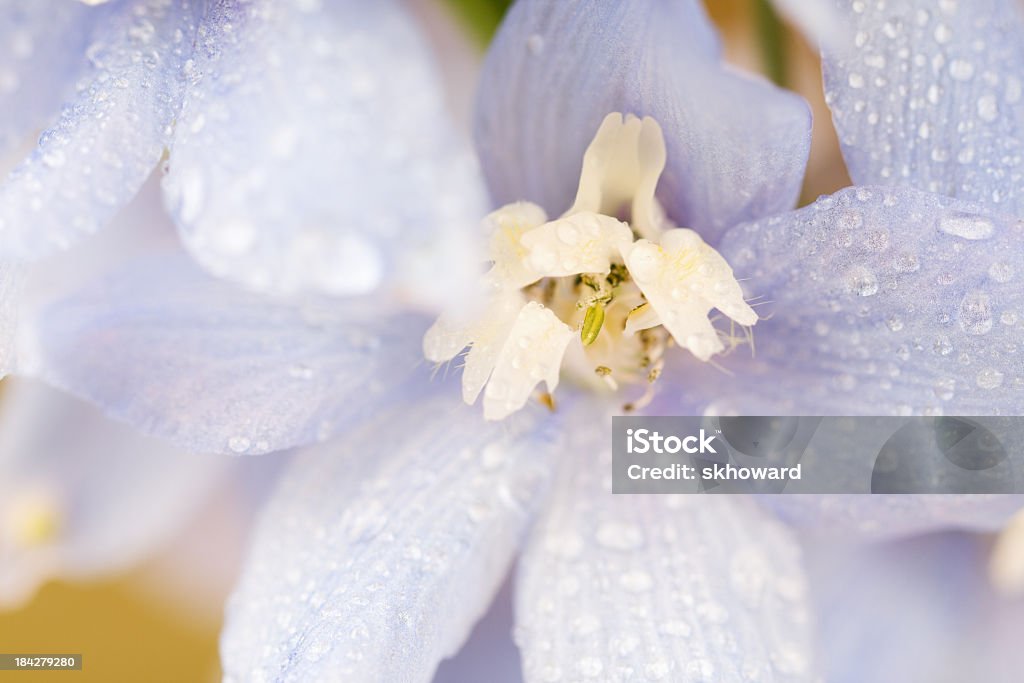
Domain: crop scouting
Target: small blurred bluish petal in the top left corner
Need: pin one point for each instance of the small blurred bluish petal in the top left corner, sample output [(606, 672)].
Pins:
[(42, 45)]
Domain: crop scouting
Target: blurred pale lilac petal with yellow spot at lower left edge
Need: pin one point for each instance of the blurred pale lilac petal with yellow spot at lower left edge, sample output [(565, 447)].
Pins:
[(88, 498)]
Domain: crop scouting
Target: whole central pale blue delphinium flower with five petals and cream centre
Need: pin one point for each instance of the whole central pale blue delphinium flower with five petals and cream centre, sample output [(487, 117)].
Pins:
[(380, 549)]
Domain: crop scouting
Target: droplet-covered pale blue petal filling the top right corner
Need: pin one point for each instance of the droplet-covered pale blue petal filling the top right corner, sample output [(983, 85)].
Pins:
[(931, 96)]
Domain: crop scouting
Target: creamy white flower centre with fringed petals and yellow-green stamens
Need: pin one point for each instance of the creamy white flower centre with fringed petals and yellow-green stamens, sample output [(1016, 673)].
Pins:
[(589, 293)]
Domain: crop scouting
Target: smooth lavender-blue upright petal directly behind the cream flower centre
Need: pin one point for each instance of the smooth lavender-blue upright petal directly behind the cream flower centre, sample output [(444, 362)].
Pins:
[(737, 146)]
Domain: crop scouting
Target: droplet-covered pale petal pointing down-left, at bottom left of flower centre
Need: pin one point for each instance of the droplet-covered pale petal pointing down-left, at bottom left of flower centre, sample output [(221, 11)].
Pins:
[(378, 553)]
